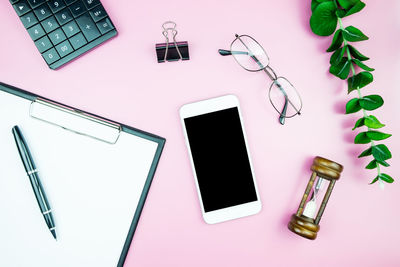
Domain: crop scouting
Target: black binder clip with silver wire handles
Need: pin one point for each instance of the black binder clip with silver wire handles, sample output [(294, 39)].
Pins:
[(171, 51)]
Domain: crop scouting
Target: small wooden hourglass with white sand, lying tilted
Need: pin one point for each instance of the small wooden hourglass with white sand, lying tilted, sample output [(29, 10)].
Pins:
[(306, 221)]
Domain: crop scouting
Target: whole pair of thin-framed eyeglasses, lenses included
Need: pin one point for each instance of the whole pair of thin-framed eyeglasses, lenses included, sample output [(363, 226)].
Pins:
[(252, 57)]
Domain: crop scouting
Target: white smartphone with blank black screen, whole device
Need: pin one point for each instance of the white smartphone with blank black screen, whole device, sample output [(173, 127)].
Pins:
[(220, 159)]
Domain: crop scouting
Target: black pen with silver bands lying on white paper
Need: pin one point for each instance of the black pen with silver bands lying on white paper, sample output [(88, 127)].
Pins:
[(32, 172)]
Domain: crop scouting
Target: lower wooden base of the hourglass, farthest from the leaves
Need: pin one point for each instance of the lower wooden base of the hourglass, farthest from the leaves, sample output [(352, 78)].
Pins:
[(303, 226)]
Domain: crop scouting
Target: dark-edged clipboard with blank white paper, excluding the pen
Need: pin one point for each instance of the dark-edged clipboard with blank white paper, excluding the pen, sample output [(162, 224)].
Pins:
[(92, 199)]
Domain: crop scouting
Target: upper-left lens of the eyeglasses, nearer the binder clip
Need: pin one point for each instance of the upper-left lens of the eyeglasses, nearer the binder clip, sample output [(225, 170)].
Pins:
[(249, 54)]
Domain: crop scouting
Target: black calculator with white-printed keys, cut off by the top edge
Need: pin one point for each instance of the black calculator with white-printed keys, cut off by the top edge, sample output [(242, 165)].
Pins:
[(64, 29)]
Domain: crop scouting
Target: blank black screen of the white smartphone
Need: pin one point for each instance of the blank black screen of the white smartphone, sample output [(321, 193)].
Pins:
[(220, 158)]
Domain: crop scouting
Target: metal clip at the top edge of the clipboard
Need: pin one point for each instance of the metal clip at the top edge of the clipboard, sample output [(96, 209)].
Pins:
[(74, 120)]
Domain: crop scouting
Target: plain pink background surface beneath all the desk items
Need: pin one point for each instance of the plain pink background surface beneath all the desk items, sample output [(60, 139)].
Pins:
[(122, 80)]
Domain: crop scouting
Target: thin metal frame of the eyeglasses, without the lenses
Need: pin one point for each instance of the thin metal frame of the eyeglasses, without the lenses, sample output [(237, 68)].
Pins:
[(273, 76)]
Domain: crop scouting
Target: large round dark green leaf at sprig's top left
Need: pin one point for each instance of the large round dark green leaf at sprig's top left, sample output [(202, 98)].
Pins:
[(323, 20)]
